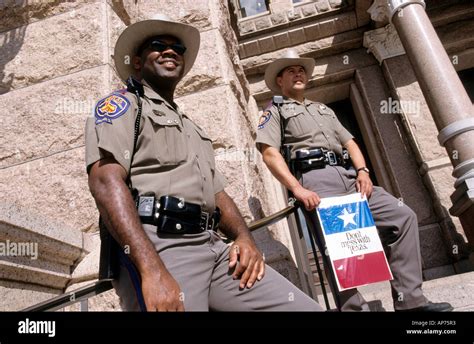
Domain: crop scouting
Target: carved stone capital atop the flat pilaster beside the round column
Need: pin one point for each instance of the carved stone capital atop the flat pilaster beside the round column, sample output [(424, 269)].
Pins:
[(383, 43)]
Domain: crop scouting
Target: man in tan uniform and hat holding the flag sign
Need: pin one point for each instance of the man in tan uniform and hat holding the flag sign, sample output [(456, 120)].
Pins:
[(312, 129)]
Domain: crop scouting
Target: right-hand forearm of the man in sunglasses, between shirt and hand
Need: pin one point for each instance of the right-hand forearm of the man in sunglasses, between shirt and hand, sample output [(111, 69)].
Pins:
[(232, 223)]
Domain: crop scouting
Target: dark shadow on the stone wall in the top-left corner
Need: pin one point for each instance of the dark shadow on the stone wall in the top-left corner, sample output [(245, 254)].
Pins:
[(10, 44)]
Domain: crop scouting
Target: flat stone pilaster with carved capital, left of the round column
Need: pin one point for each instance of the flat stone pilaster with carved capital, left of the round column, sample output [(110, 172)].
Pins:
[(420, 176)]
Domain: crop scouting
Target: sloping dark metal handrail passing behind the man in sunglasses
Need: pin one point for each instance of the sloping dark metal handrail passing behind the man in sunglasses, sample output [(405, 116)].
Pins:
[(102, 286)]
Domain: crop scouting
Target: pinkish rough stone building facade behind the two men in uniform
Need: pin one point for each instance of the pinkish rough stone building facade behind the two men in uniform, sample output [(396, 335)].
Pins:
[(56, 61)]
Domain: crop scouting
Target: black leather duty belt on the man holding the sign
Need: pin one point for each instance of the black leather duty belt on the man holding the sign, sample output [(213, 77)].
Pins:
[(310, 159)]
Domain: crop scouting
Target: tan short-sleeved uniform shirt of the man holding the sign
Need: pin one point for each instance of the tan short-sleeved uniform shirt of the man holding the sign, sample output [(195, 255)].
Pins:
[(308, 125)]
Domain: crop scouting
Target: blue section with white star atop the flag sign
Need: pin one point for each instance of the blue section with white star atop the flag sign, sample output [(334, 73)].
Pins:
[(346, 217)]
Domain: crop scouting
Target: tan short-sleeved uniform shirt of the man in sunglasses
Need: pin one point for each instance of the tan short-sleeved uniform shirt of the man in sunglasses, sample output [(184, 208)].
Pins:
[(173, 155)]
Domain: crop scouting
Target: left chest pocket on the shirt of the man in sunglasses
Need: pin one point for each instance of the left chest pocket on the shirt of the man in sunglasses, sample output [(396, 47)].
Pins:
[(169, 140)]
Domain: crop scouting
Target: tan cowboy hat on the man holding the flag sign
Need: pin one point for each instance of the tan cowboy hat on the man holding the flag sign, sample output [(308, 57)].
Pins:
[(290, 58)]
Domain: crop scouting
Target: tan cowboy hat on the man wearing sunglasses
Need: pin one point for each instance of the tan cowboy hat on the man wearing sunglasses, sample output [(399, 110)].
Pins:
[(134, 35)]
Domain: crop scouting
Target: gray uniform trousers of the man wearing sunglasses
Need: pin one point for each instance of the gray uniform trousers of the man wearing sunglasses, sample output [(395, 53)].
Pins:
[(199, 263)]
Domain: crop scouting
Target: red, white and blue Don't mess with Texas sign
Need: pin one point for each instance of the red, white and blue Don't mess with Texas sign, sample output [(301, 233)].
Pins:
[(352, 241)]
